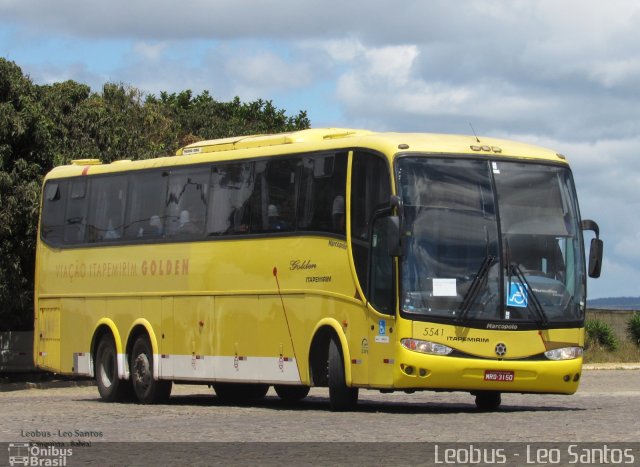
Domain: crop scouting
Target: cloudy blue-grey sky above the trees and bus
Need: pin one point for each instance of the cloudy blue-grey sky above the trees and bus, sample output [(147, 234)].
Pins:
[(564, 74)]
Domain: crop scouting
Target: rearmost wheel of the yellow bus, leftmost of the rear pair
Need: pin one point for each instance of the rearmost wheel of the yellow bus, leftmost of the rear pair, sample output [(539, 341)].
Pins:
[(110, 387)]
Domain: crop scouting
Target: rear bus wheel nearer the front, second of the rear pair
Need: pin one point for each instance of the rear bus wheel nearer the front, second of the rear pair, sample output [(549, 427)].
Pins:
[(147, 389)]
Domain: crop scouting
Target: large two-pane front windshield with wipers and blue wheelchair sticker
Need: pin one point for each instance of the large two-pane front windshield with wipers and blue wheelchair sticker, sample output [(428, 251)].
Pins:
[(490, 241)]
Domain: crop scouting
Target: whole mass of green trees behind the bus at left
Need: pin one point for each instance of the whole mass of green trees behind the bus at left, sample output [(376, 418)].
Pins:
[(45, 126)]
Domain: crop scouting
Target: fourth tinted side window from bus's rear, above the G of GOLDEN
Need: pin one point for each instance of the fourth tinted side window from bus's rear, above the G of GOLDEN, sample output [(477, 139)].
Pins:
[(145, 205)]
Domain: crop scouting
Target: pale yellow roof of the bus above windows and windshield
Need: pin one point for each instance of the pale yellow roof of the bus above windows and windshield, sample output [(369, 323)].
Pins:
[(240, 147)]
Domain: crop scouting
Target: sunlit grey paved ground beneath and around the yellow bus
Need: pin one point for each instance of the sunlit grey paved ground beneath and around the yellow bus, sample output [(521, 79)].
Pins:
[(196, 428)]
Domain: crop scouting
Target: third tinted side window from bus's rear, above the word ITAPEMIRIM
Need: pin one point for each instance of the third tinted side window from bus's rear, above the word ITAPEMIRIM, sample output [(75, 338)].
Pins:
[(107, 203)]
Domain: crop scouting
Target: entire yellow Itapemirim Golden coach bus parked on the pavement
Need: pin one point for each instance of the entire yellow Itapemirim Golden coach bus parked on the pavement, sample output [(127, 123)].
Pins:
[(331, 258)]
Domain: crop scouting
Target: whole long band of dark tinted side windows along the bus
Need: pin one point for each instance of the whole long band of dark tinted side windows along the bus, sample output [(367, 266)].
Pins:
[(281, 194)]
